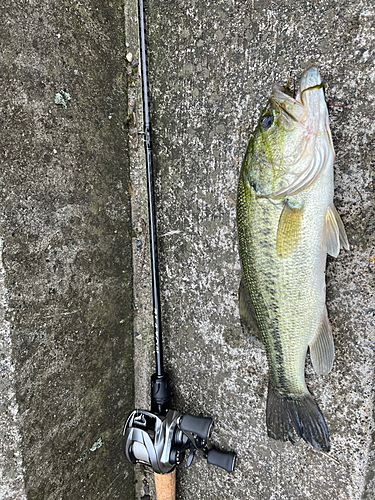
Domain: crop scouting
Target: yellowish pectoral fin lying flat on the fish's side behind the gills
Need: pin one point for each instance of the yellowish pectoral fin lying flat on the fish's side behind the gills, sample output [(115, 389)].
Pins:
[(289, 229)]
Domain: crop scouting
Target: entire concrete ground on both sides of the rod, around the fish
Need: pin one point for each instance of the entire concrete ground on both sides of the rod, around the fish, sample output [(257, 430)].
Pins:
[(66, 277)]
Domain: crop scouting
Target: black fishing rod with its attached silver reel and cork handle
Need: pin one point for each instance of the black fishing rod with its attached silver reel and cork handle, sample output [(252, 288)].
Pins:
[(159, 439)]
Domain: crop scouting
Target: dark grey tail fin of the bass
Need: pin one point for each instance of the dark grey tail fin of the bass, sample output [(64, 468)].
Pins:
[(286, 414)]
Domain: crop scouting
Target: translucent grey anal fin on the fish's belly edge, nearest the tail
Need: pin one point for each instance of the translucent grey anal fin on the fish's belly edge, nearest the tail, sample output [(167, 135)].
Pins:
[(322, 349)]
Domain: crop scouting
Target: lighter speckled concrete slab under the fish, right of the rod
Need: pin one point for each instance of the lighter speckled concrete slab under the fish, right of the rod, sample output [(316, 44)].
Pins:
[(211, 68)]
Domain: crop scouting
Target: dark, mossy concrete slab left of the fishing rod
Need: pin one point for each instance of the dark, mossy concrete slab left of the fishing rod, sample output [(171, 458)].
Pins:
[(66, 274)]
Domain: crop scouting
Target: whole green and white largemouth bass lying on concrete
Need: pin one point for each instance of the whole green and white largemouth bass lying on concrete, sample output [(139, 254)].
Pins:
[(287, 224)]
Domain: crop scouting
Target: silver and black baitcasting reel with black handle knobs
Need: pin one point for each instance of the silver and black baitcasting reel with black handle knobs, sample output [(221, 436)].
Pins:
[(161, 442)]
